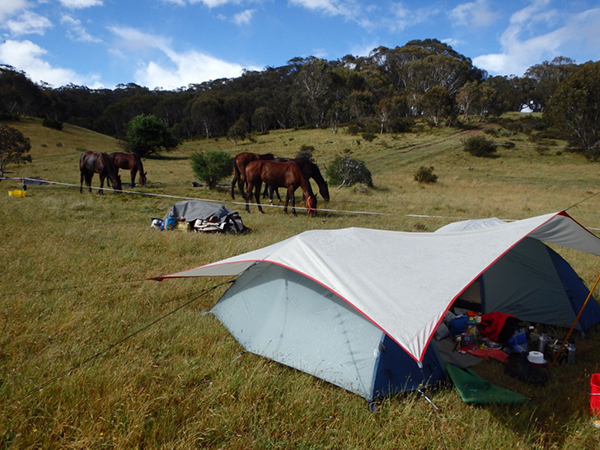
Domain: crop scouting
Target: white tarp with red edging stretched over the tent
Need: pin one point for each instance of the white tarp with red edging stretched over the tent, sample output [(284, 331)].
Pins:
[(402, 282)]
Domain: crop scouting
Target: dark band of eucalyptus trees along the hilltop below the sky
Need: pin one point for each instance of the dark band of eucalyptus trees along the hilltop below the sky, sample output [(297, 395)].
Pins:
[(381, 93)]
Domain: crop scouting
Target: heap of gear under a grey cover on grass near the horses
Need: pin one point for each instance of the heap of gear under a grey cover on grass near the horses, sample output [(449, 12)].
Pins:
[(198, 216)]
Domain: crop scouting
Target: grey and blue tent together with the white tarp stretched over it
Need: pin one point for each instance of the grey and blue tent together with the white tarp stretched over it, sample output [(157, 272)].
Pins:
[(359, 307)]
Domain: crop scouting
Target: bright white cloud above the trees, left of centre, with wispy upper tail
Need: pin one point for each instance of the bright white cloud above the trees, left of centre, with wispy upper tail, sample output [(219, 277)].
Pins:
[(178, 69)]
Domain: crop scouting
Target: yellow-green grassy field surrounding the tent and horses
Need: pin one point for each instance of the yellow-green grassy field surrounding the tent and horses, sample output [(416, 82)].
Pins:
[(95, 355)]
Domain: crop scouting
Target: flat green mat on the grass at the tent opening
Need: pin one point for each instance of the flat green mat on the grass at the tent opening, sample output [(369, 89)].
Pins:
[(473, 389)]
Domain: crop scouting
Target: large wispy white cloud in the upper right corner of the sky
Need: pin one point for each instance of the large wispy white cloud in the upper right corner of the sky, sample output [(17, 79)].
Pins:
[(521, 50)]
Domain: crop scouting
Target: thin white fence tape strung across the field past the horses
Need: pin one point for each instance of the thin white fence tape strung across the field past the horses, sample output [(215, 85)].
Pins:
[(343, 211)]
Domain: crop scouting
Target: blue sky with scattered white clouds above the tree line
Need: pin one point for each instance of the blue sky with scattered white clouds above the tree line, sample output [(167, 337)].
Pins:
[(171, 43)]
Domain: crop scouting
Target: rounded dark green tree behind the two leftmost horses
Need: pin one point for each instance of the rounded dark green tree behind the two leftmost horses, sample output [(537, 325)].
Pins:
[(147, 135)]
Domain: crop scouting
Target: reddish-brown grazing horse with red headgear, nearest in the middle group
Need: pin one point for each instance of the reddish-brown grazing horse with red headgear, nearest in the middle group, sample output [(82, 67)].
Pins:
[(279, 174)]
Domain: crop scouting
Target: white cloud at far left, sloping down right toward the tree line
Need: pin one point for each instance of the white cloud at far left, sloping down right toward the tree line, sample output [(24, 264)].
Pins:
[(28, 57)]
